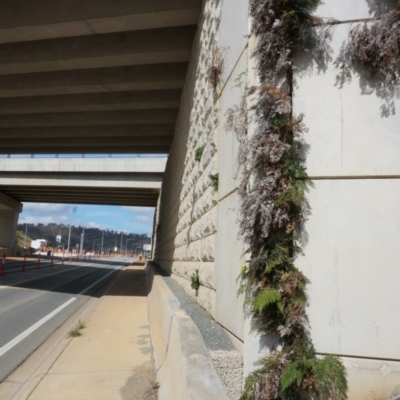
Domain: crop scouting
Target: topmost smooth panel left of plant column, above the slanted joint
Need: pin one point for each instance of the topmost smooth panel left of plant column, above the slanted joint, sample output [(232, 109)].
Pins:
[(232, 34)]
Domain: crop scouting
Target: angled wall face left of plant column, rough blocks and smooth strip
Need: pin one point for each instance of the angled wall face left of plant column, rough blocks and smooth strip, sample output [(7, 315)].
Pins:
[(196, 227)]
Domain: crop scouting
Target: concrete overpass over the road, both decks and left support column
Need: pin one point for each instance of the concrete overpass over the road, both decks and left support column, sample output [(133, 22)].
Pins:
[(85, 76)]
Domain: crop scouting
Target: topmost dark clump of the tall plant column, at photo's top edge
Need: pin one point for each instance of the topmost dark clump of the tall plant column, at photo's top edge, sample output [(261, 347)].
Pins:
[(284, 29)]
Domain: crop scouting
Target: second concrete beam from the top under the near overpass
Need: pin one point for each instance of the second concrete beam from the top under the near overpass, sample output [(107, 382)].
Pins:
[(95, 51)]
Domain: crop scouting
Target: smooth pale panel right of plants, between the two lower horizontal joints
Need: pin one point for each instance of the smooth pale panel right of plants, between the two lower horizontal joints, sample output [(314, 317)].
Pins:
[(352, 259)]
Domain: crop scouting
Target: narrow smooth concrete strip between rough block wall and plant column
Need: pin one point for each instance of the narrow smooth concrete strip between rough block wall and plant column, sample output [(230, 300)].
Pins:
[(233, 32)]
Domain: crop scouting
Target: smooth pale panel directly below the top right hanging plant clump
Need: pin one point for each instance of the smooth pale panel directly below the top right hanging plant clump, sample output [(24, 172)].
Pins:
[(347, 135)]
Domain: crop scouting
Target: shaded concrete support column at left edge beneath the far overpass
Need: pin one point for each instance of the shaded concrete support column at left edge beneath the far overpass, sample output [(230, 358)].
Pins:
[(9, 213)]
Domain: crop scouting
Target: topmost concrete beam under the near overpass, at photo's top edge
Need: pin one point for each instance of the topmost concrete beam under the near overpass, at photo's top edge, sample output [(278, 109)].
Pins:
[(26, 20)]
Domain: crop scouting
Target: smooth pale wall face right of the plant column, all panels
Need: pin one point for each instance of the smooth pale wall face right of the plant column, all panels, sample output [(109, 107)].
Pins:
[(353, 231)]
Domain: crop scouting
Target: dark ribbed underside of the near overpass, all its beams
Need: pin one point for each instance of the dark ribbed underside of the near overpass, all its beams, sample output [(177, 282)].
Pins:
[(92, 76)]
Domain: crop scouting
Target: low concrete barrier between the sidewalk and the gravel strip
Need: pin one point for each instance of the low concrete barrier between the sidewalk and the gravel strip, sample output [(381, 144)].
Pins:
[(184, 368)]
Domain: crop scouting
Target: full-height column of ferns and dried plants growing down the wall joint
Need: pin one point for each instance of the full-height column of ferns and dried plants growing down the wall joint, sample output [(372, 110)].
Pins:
[(272, 196)]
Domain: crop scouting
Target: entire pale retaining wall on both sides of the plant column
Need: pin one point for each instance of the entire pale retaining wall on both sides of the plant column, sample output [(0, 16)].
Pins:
[(352, 235)]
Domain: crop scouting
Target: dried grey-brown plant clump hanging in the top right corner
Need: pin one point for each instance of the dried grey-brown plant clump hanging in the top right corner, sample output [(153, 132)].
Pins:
[(373, 52)]
